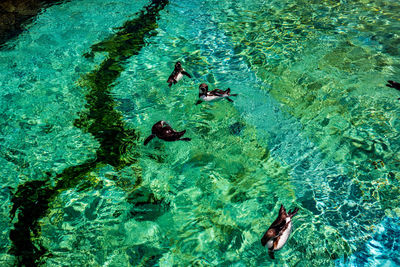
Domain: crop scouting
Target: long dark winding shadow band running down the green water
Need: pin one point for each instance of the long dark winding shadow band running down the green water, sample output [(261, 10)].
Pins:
[(32, 199)]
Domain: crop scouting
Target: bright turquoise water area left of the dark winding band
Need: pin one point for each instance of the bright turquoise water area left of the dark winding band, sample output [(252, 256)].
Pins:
[(40, 97)]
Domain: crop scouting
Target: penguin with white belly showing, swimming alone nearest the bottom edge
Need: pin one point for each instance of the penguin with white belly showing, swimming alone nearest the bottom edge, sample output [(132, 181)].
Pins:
[(279, 231)]
